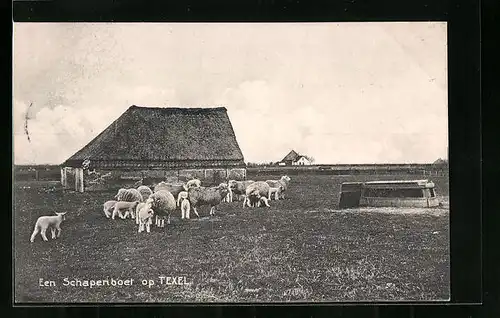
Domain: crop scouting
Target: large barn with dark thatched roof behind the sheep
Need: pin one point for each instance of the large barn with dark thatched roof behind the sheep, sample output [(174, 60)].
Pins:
[(145, 139)]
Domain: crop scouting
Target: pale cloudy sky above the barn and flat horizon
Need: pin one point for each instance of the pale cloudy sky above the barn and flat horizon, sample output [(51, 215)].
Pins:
[(342, 93)]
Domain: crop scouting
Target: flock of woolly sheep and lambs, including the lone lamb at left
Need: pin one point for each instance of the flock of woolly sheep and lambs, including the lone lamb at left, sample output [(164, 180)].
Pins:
[(143, 203)]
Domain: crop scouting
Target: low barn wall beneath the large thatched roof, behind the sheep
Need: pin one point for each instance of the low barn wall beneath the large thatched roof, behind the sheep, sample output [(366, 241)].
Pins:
[(105, 179)]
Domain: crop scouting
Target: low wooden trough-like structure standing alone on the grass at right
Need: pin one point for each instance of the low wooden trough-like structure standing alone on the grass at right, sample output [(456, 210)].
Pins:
[(399, 193)]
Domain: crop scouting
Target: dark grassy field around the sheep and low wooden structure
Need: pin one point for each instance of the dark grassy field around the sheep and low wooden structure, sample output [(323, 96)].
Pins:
[(300, 249)]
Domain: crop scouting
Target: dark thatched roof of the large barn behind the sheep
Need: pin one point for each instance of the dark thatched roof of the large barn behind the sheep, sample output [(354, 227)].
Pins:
[(149, 134)]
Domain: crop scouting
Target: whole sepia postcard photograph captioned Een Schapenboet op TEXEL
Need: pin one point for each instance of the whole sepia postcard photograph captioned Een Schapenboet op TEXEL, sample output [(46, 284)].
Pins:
[(230, 162)]
